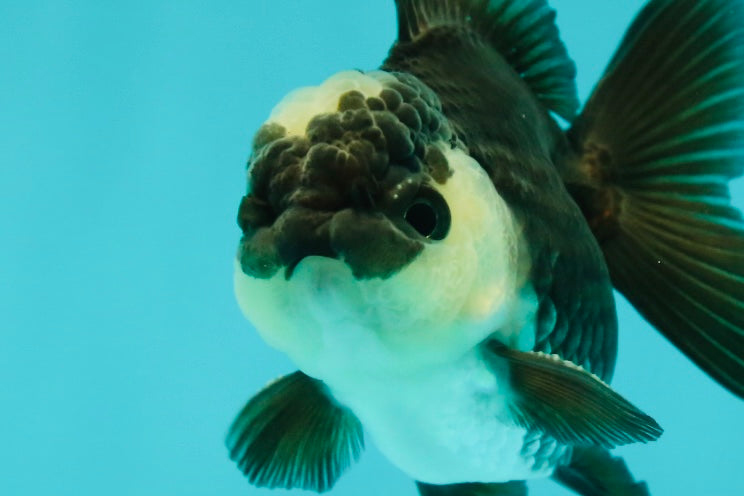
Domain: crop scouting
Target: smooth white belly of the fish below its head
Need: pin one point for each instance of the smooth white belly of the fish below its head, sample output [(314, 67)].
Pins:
[(443, 426)]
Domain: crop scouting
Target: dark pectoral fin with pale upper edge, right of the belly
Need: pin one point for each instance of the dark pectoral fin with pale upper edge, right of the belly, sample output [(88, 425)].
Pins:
[(570, 404)]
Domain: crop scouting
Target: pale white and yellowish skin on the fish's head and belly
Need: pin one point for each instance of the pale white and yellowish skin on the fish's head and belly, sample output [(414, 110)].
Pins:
[(361, 336)]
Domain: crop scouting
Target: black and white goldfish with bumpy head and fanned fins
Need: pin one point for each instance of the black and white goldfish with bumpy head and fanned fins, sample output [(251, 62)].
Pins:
[(435, 244)]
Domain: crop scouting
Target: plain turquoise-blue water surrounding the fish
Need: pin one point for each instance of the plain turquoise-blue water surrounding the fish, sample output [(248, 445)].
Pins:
[(124, 131)]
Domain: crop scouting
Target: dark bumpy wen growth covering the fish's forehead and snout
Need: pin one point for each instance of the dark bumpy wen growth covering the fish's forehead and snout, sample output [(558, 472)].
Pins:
[(343, 189)]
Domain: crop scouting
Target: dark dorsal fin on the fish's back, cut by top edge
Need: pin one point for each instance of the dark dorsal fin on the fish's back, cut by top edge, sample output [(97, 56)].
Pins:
[(522, 31)]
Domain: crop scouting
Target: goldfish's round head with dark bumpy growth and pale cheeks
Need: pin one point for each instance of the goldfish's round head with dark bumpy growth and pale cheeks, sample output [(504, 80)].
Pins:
[(370, 236)]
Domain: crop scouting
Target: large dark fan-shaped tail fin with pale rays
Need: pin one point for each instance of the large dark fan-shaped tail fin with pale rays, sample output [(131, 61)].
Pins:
[(658, 141)]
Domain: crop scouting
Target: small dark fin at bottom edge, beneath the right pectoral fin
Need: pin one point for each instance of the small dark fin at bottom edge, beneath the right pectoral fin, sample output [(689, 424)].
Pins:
[(595, 472)]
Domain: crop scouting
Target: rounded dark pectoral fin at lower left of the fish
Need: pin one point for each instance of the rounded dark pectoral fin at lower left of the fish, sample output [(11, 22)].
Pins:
[(293, 434)]
